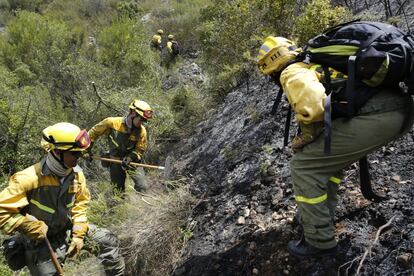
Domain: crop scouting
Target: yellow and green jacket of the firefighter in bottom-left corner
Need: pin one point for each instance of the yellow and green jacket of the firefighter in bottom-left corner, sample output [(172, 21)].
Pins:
[(38, 192)]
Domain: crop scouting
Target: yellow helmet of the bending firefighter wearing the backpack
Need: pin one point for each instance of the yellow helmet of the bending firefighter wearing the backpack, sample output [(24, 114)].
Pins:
[(275, 53)]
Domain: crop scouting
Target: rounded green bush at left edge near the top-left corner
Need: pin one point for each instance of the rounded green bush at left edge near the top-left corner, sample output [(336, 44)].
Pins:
[(35, 47)]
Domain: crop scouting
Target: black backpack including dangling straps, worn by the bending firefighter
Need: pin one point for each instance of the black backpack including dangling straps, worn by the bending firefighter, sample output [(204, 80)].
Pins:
[(371, 54)]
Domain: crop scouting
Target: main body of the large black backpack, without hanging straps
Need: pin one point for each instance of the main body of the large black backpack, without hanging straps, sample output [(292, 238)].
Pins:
[(384, 55)]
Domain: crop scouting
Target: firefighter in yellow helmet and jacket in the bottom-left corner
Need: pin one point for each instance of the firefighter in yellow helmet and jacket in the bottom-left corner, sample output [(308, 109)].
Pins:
[(49, 199)]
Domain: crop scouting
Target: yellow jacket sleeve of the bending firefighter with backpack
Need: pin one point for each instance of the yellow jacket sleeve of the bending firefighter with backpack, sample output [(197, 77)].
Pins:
[(304, 91)]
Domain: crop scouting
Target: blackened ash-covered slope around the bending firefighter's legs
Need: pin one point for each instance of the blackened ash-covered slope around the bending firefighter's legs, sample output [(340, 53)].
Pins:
[(239, 171)]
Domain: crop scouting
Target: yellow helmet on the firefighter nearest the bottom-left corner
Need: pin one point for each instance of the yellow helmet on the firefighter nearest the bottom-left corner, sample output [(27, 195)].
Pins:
[(65, 136)]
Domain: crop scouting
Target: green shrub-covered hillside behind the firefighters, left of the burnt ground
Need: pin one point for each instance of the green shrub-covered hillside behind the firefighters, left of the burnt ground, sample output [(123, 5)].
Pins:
[(52, 50)]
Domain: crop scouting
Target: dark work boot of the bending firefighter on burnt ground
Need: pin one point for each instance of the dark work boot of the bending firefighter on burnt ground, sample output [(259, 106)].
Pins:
[(302, 249)]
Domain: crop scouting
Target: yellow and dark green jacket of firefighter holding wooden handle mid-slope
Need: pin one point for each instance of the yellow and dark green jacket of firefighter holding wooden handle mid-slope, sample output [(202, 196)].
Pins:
[(122, 142)]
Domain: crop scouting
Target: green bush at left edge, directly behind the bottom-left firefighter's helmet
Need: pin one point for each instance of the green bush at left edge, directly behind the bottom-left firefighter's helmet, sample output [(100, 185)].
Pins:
[(21, 123)]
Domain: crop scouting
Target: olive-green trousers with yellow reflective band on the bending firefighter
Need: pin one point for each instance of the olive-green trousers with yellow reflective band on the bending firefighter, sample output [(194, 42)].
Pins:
[(312, 169)]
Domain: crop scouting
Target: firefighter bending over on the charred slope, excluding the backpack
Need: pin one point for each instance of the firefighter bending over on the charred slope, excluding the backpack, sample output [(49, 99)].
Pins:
[(316, 177)]
